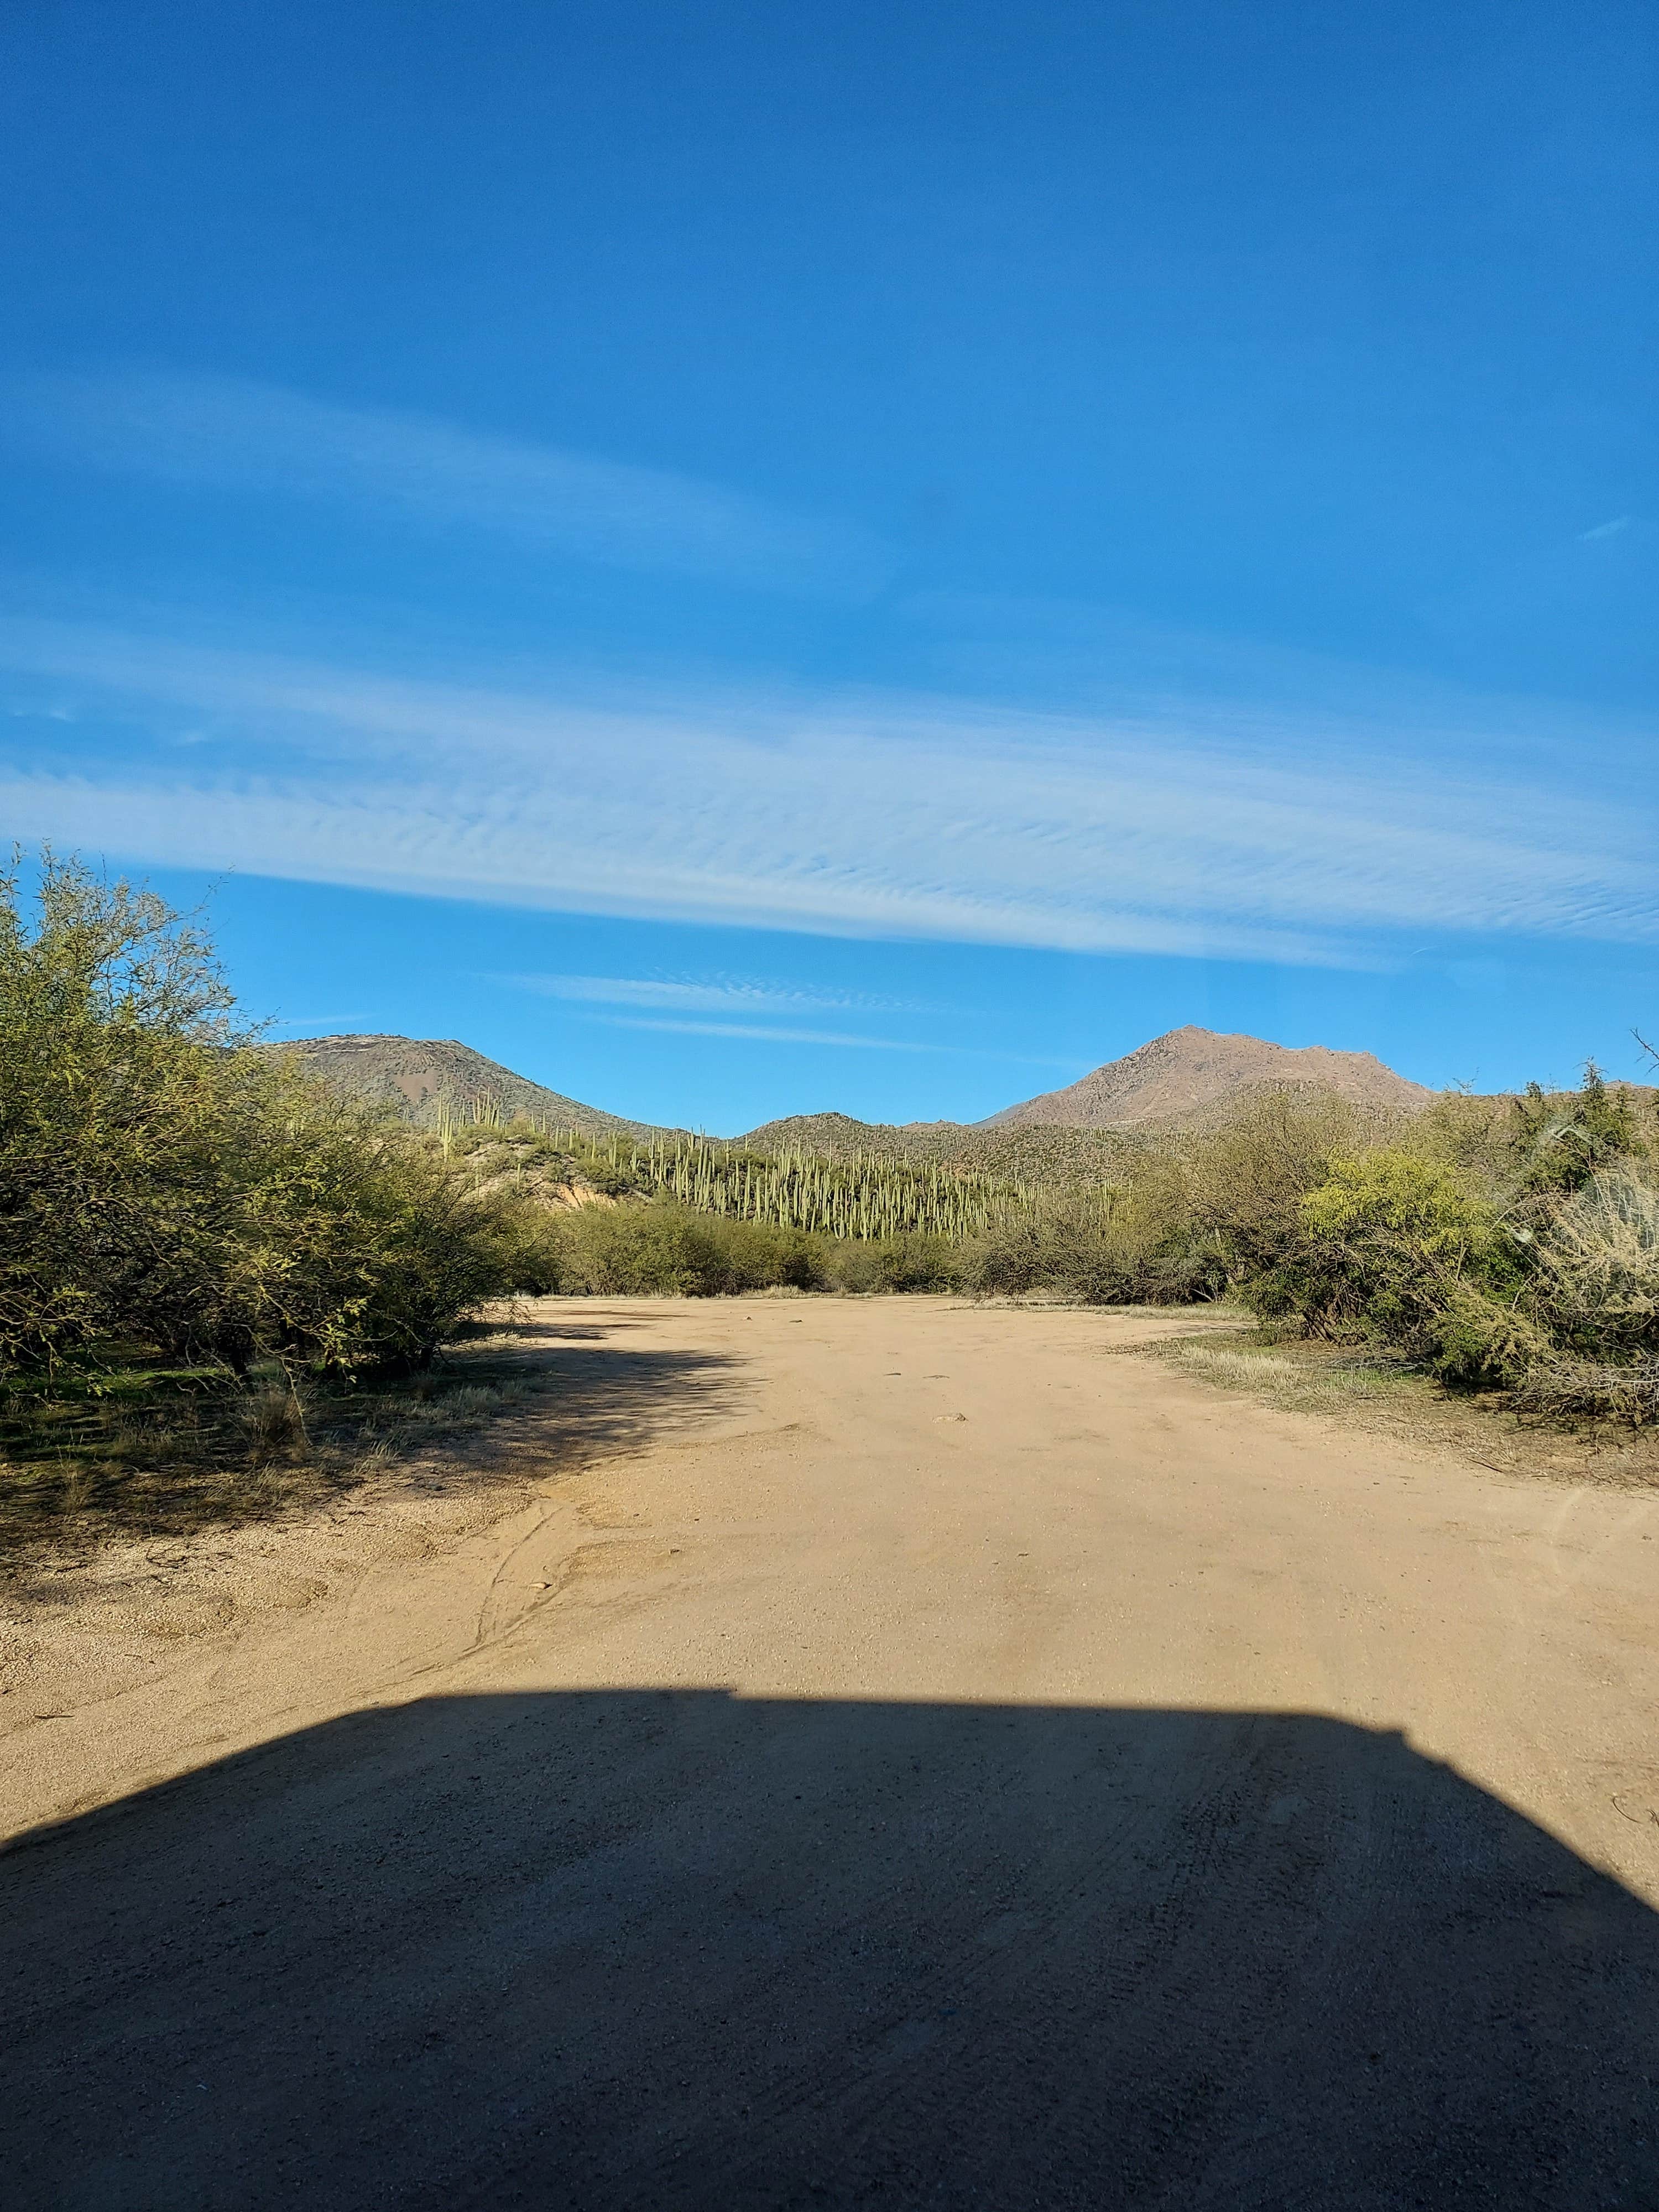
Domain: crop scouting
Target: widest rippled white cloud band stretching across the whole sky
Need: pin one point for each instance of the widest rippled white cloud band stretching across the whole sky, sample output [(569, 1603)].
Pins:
[(868, 817)]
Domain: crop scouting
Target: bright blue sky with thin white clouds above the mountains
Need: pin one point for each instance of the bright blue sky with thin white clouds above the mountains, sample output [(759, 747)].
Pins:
[(758, 559)]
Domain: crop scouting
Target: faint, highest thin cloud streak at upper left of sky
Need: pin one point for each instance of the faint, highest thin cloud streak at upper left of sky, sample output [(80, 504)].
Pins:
[(244, 437)]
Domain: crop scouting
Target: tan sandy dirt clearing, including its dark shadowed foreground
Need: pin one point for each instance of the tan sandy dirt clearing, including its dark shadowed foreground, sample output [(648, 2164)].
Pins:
[(908, 1755)]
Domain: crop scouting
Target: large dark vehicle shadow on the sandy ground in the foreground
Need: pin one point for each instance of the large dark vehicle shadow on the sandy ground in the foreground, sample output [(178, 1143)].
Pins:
[(678, 1950)]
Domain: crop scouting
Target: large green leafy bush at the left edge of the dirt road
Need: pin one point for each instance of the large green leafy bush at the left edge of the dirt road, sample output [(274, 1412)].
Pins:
[(165, 1185)]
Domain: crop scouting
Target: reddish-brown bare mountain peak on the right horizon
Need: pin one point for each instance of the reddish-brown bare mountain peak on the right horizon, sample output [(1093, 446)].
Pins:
[(1193, 1074)]
